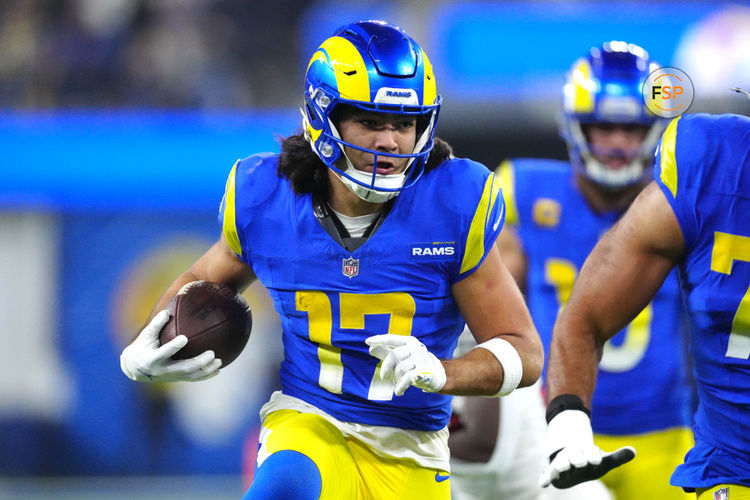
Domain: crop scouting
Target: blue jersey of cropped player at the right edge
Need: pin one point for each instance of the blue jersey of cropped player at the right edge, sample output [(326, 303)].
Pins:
[(703, 169)]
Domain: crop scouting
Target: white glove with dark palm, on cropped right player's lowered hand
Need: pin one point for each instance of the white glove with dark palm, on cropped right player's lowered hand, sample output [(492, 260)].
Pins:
[(574, 458)]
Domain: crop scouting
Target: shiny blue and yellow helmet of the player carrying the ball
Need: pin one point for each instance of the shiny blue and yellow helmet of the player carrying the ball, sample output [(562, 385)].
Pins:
[(376, 67)]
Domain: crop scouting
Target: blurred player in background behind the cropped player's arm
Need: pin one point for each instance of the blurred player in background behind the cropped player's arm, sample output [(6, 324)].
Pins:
[(557, 211)]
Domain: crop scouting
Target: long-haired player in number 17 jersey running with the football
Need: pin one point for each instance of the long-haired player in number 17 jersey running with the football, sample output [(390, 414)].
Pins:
[(373, 271)]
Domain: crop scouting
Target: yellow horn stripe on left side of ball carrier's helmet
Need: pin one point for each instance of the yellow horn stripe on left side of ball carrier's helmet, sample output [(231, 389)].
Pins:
[(348, 67)]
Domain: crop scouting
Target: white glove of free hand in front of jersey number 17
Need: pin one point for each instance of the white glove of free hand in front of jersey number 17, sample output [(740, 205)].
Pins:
[(407, 362)]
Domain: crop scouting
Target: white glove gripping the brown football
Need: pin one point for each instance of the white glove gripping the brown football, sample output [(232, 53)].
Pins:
[(145, 361)]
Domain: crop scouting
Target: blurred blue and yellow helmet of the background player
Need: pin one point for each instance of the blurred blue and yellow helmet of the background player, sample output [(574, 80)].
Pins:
[(605, 87)]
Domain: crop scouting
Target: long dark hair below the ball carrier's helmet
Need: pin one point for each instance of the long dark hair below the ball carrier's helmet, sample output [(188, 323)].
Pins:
[(308, 174)]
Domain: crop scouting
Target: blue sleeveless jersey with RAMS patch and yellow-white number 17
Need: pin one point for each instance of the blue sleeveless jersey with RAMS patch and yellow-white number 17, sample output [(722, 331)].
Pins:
[(330, 300)]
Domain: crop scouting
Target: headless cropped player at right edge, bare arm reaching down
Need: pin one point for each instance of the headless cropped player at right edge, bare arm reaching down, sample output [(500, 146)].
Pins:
[(694, 216)]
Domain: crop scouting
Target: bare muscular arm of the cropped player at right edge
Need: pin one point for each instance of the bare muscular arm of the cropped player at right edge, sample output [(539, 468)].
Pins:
[(618, 280)]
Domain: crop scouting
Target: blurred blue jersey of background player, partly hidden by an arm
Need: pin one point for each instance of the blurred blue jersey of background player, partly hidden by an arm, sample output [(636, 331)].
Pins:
[(642, 384)]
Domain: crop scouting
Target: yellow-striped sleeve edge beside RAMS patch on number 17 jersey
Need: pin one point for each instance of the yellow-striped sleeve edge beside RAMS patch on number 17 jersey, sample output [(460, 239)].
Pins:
[(486, 223)]
